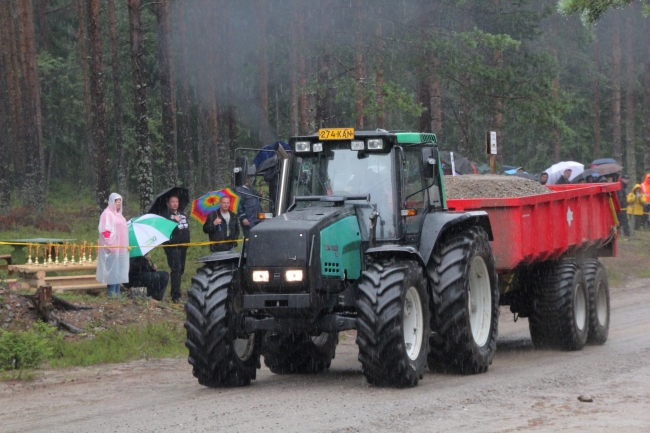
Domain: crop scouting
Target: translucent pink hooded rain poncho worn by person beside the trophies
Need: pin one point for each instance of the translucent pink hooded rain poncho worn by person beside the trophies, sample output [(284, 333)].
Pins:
[(113, 262)]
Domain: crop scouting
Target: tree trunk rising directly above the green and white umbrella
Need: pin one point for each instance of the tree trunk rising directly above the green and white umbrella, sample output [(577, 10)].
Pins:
[(144, 165)]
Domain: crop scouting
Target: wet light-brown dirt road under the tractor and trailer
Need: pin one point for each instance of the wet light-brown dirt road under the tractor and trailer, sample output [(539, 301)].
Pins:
[(524, 389)]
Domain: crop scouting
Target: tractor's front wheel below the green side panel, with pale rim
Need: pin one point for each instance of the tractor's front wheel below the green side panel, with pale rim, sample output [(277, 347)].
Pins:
[(393, 323)]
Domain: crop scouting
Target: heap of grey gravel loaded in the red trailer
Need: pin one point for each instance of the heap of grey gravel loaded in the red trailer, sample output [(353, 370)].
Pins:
[(491, 186)]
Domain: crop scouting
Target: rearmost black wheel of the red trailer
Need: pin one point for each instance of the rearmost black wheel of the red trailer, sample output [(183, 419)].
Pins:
[(598, 290)]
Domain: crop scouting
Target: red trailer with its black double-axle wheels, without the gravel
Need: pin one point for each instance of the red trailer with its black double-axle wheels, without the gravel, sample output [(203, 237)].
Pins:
[(546, 249)]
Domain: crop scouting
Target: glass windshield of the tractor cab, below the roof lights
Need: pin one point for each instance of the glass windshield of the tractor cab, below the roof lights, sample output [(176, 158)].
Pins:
[(340, 171)]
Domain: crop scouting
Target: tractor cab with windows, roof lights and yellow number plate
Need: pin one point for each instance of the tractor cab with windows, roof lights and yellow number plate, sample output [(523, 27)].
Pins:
[(397, 174)]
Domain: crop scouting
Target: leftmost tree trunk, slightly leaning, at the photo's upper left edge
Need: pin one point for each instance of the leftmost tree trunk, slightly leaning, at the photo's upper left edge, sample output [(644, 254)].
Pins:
[(10, 55)]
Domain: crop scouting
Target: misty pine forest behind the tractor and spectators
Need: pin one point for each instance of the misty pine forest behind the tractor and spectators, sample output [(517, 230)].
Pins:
[(136, 96)]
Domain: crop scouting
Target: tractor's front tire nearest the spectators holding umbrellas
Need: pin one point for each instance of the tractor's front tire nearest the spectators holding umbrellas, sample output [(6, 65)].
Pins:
[(219, 358)]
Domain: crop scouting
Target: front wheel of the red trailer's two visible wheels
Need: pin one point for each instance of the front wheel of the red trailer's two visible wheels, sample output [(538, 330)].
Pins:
[(559, 316)]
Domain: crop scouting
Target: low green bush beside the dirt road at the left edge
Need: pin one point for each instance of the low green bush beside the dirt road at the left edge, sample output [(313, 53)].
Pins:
[(27, 349)]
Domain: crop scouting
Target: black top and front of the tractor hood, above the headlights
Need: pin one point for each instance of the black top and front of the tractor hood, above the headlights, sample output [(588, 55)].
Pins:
[(292, 239)]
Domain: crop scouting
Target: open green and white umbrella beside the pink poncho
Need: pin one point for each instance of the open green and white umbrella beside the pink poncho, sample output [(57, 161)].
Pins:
[(148, 231)]
